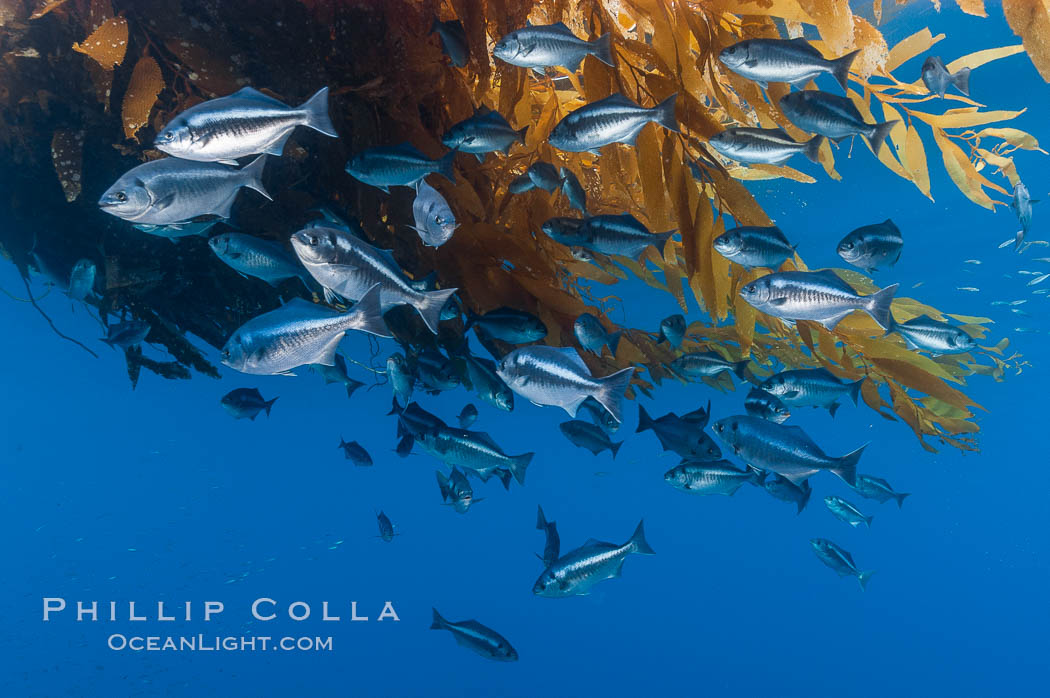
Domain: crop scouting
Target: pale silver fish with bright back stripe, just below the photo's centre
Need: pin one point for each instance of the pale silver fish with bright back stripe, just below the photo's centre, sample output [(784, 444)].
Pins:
[(558, 376)]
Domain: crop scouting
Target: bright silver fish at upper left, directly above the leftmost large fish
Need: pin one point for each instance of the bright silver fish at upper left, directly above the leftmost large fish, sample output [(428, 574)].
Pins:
[(245, 123)]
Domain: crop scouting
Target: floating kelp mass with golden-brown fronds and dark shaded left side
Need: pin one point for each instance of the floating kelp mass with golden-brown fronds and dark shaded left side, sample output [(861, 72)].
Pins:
[(390, 83)]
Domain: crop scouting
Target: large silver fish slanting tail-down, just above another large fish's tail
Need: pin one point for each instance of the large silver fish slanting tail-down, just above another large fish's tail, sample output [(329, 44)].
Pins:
[(347, 266)]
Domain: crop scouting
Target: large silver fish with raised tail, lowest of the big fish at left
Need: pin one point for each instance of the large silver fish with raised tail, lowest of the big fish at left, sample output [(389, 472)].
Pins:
[(300, 333)]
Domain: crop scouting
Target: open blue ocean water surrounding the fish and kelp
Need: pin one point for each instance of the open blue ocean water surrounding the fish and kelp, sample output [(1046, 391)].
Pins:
[(109, 494)]
